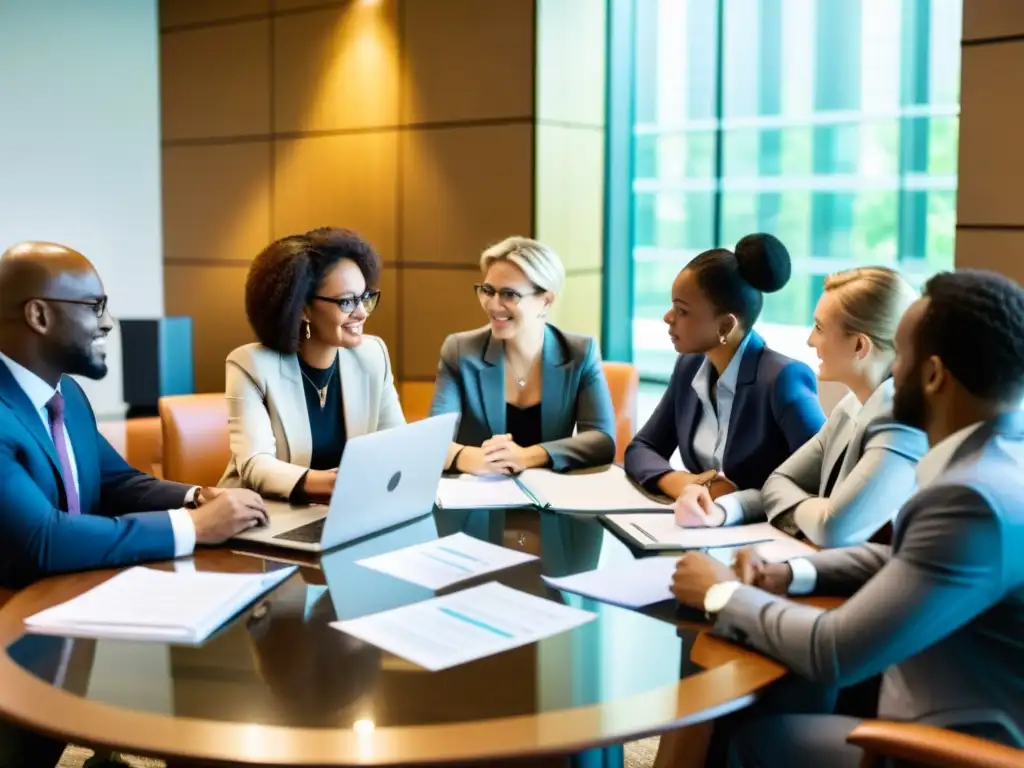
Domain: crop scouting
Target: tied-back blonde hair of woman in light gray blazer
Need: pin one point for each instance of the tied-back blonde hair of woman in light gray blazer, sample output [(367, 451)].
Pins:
[(872, 301)]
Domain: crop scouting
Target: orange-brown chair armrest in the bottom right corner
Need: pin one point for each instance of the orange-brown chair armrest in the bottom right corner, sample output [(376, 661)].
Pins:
[(928, 745)]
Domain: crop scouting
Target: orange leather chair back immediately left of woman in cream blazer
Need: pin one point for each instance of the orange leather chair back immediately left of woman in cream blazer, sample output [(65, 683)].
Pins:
[(196, 442)]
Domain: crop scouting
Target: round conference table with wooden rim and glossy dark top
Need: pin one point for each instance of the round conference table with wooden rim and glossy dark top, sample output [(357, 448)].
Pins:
[(278, 686)]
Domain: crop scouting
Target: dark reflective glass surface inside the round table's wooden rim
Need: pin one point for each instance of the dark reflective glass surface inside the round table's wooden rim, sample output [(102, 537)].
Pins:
[(282, 663)]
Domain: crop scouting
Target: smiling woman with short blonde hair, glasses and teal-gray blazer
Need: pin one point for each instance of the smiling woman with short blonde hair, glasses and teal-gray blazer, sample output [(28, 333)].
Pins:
[(530, 395)]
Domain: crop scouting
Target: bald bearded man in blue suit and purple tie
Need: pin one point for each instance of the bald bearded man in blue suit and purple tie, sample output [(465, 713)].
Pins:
[(68, 501)]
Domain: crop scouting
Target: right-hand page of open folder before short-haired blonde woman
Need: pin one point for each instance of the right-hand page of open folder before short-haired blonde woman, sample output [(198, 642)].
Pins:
[(608, 490)]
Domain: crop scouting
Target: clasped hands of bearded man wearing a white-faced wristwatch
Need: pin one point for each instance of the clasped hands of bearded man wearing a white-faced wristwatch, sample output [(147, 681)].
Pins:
[(697, 573)]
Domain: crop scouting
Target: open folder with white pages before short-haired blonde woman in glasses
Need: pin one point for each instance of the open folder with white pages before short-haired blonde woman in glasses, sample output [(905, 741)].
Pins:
[(606, 490)]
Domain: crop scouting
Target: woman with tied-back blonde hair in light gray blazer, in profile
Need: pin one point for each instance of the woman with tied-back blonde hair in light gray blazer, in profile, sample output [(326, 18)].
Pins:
[(849, 481)]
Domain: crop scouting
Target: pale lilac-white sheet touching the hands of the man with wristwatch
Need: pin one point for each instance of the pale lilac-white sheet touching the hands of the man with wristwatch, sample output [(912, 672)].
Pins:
[(630, 585)]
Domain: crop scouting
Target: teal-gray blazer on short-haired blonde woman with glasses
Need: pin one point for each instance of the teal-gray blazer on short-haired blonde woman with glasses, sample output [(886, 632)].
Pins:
[(574, 396)]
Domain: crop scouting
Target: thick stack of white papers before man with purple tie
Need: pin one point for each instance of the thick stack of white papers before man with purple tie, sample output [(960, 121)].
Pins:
[(160, 606)]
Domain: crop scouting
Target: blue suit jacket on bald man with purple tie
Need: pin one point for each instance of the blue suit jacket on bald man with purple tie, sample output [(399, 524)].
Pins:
[(37, 536)]
